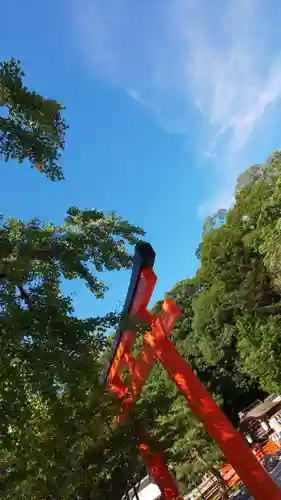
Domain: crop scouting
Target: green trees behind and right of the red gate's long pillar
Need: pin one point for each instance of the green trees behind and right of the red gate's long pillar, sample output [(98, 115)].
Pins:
[(229, 330)]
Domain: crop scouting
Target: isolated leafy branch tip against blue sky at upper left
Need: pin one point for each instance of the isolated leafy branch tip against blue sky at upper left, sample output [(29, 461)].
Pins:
[(32, 127)]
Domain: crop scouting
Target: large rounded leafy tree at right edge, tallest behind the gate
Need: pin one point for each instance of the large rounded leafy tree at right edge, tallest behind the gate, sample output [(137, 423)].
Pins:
[(238, 308)]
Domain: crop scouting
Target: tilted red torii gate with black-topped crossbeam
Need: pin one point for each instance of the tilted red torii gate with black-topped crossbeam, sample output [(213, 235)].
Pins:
[(157, 345)]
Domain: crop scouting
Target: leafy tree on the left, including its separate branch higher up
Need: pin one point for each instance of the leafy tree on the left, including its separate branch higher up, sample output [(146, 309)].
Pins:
[(58, 437)]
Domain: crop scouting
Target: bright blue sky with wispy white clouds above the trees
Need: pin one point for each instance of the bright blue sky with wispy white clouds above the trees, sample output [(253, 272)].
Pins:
[(168, 100)]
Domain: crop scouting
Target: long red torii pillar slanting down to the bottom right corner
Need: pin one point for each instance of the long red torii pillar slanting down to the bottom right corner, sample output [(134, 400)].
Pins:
[(215, 422)]
